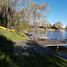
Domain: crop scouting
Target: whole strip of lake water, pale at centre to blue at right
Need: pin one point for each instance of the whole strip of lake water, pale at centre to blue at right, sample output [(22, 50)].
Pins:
[(56, 35)]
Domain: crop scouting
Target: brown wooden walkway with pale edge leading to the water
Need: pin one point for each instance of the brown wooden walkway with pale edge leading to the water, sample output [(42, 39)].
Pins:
[(47, 42)]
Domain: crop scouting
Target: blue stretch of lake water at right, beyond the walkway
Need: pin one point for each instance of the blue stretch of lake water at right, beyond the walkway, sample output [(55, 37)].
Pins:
[(57, 35)]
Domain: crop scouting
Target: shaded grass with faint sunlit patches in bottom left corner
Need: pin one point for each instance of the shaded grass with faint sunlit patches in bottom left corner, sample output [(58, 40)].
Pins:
[(6, 61)]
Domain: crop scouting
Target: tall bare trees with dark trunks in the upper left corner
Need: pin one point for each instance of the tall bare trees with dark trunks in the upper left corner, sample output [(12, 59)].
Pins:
[(6, 12)]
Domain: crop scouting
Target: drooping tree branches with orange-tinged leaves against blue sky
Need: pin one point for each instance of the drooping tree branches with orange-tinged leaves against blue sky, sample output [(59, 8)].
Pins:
[(36, 9)]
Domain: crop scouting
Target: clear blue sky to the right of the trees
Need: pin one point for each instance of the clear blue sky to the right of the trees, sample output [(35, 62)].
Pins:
[(57, 12)]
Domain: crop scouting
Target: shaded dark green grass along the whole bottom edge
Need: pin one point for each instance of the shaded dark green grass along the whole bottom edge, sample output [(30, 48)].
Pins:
[(35, 60)]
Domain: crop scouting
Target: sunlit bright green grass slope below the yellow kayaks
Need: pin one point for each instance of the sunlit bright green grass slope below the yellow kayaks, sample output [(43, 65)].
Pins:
[(13, 35)]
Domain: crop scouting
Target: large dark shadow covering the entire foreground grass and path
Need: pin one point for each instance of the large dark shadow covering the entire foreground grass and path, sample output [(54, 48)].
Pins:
[(27, 56)]
